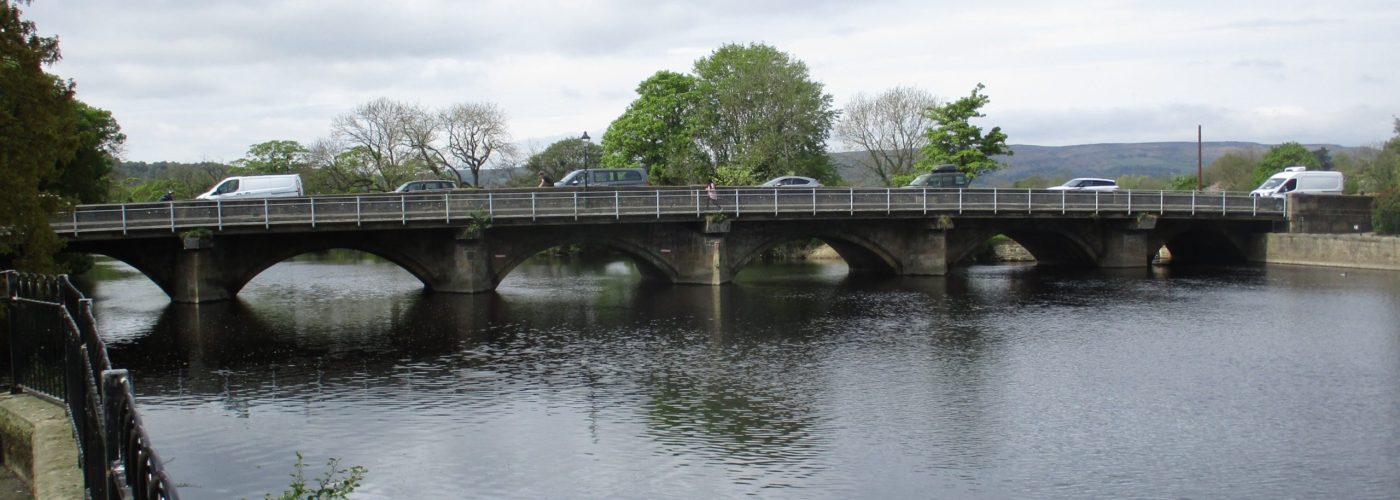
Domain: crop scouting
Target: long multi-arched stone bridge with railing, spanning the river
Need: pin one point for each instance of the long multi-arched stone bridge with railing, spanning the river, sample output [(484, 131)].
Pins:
[(468, 242)]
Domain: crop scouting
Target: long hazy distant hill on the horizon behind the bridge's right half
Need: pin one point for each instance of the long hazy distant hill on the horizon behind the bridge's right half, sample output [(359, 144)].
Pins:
[(1161, 160)]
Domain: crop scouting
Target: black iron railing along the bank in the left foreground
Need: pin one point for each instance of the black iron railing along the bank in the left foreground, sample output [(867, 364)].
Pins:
[(57, 352)]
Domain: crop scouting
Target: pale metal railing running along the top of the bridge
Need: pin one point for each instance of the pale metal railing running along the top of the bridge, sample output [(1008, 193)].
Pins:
[(642, 202)]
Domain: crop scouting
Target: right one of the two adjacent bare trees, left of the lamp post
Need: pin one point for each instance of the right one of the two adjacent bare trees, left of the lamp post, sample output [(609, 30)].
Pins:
[(475, 132)]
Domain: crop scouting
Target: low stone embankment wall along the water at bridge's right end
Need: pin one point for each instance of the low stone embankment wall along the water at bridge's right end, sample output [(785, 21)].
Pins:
[(1331, 250)]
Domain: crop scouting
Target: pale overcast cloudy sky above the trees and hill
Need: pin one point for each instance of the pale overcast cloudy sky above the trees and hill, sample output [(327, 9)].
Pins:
[(204, 81)]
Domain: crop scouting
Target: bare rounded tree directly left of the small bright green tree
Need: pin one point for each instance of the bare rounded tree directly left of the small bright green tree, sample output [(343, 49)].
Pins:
[(890, 130)]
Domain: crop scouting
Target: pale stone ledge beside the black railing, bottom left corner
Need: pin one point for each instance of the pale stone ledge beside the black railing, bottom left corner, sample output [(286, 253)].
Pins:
[(37, 445)]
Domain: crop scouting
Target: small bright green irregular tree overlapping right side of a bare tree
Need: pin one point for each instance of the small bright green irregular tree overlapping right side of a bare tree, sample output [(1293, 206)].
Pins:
[(955, 141)]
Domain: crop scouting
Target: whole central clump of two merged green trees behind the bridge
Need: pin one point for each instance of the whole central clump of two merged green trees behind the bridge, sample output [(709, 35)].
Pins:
[(747, 107)]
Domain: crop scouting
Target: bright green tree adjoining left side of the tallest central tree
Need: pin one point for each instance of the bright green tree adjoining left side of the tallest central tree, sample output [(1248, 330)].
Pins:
[(657, 132)]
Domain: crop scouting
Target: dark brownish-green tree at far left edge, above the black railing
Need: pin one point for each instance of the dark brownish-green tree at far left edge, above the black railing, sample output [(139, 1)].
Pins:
[(38, 132)]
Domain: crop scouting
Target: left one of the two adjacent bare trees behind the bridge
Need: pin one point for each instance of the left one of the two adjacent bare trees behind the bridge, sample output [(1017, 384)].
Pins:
[(380, 131)]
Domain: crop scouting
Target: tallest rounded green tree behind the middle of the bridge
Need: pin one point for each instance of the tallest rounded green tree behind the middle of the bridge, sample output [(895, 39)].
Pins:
[(761, 113)]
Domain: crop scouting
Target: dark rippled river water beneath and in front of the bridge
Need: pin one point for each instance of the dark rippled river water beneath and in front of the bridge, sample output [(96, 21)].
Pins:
[(580, 380)]
